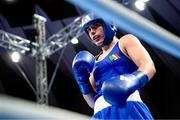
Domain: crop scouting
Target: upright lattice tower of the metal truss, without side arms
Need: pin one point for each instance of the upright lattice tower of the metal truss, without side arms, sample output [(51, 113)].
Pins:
[(41, 65)]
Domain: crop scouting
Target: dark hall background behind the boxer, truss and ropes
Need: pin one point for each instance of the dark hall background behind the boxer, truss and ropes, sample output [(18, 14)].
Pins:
[(161, 94)]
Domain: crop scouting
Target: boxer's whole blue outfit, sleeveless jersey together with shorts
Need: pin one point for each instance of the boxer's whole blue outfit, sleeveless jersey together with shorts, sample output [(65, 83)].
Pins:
[(115, 64)]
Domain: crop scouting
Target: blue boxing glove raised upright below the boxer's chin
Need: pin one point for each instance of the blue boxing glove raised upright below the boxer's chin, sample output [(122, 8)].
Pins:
[(82, 66)]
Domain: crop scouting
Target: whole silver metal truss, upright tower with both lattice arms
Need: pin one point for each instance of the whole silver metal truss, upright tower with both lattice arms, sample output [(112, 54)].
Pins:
[(41, 49)]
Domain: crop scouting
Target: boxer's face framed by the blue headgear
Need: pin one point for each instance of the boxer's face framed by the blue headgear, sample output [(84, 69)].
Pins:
[(96, 33)]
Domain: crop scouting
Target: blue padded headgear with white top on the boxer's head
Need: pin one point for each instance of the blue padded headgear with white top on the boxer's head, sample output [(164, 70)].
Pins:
[(108, 31)]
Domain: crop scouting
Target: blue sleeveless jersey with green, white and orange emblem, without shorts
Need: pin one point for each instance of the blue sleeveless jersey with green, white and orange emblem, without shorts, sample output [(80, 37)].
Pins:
[(114, 64)]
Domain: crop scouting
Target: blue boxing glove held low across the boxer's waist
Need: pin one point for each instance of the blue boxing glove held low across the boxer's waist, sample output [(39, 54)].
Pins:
[(117, 89)]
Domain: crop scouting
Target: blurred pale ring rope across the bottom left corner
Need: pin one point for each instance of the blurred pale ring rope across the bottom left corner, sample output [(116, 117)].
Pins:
[(14, 108)]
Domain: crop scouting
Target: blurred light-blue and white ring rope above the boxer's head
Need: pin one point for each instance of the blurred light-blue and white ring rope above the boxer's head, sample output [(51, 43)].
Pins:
[(133, 23)]
